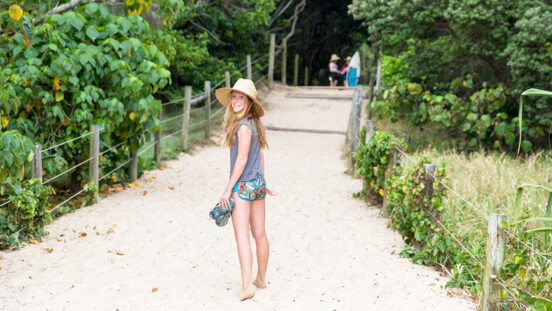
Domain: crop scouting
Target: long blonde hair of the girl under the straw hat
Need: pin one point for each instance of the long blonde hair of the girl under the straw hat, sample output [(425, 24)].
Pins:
[(231, 120)]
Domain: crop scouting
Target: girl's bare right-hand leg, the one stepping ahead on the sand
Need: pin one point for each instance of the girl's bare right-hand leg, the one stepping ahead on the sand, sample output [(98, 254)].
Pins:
[(261, 241)]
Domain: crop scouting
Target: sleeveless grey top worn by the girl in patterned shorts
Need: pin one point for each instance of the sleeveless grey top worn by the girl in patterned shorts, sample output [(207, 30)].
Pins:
[(253, 169)]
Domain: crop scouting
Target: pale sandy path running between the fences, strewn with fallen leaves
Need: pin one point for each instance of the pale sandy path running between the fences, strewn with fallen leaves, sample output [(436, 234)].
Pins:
[(328, 250)]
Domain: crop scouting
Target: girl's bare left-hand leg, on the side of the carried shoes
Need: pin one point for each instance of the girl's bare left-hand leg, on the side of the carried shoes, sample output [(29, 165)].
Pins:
[(240, 220)]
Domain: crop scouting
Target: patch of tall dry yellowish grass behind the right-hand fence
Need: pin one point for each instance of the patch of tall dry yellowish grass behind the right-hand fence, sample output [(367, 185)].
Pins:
[(488, 180)]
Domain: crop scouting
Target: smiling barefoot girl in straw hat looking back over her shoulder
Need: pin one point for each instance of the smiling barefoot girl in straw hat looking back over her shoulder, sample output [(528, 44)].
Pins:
[(245, 135)]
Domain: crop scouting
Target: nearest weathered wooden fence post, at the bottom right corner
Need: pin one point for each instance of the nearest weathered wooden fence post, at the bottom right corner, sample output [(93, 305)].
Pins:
[(494, 256)]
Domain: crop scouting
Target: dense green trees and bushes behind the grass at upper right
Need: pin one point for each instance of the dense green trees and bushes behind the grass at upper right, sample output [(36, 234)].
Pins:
[(463, 65)]
